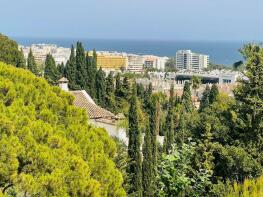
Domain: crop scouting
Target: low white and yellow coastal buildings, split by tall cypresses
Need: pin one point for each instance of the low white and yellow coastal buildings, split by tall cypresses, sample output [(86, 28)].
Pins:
[(106, 59)]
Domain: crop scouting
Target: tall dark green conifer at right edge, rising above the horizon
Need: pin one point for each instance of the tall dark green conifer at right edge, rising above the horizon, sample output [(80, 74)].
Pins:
[(249, 97)]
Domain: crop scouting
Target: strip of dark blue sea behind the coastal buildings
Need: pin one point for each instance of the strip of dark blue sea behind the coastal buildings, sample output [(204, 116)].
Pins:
[(220, 52)]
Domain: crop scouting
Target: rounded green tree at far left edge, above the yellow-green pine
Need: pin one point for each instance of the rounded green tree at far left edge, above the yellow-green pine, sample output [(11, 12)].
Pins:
[(10, 53)]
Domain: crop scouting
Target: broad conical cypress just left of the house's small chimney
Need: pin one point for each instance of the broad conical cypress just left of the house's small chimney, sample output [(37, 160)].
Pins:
[(51, 73)]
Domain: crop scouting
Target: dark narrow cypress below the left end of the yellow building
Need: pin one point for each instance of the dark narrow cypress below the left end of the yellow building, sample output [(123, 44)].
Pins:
[(100, 87)]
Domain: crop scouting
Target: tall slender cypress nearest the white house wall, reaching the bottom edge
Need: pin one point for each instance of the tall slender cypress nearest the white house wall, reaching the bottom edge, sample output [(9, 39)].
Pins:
[(135, 164)]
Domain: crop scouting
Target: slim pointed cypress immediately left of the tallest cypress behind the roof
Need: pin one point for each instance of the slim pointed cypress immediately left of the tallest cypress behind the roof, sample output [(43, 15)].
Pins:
[(71, 71)]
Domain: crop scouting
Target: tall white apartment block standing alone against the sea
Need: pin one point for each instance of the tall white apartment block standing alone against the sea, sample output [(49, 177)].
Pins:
[(186, 59)]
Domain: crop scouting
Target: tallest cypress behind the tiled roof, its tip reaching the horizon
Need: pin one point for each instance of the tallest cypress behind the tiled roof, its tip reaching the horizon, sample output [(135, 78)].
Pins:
[(81, 74)]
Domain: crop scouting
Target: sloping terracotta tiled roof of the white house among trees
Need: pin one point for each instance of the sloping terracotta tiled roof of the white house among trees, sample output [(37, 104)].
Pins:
[(94, 111)]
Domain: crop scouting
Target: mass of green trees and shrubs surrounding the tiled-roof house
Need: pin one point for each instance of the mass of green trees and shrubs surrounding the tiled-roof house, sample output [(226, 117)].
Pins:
[(48, 149)]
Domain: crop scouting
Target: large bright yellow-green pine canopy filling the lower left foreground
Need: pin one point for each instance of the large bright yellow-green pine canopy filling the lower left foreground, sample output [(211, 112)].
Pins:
[(47, 147)]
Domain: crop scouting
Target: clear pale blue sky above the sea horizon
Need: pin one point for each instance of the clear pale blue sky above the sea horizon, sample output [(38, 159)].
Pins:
[(134, 19)]
